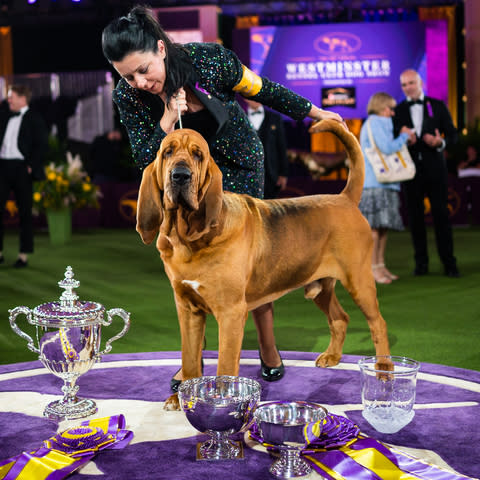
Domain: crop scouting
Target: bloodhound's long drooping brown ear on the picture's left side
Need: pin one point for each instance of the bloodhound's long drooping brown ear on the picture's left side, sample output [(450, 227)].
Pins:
[(149, 206)]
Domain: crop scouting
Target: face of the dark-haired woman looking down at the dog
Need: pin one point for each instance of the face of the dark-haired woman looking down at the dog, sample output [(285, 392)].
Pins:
[(144, 70)]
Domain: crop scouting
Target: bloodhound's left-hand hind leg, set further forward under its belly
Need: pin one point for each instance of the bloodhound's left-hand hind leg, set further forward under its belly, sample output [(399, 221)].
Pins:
[(337, 319)]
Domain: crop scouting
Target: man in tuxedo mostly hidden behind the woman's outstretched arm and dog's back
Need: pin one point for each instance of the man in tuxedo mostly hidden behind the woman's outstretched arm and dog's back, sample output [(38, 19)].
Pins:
[(270, 129)]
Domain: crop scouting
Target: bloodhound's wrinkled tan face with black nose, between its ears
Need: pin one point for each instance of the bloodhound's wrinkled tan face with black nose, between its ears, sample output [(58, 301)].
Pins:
[(184, 156)]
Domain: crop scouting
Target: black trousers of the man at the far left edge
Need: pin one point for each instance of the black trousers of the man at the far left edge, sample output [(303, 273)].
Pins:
[(14, 177)]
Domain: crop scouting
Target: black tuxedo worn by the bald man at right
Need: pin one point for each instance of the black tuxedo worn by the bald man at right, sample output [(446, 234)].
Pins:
[(431, 180)]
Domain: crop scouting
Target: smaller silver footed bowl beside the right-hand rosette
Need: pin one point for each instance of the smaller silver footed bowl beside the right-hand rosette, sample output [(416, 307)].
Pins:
[(282, 424)]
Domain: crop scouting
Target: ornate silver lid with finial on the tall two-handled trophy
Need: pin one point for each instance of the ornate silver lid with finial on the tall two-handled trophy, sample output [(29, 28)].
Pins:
[(69, 311)]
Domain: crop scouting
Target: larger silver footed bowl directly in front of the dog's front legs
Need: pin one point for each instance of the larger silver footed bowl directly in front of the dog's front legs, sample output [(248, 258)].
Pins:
[(219, 406)]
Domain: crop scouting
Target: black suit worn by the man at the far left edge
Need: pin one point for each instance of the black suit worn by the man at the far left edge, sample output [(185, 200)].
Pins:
[(14, 176)]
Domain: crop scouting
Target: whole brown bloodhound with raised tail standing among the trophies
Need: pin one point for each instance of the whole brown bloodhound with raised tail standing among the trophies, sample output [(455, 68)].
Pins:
[(226, 253)]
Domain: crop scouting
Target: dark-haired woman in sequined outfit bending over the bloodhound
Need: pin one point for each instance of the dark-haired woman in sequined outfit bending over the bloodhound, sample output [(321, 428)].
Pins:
[(161, 79)]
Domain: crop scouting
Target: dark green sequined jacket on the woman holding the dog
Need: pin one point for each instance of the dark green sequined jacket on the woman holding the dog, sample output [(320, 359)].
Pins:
[(236, 147)]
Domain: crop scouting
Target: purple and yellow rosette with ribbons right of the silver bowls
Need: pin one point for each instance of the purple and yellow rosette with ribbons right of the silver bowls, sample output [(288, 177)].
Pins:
[(336, 449)]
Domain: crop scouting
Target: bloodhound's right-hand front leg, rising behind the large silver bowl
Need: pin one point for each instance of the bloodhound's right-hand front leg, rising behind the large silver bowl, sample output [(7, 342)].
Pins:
[(231, 324)]
